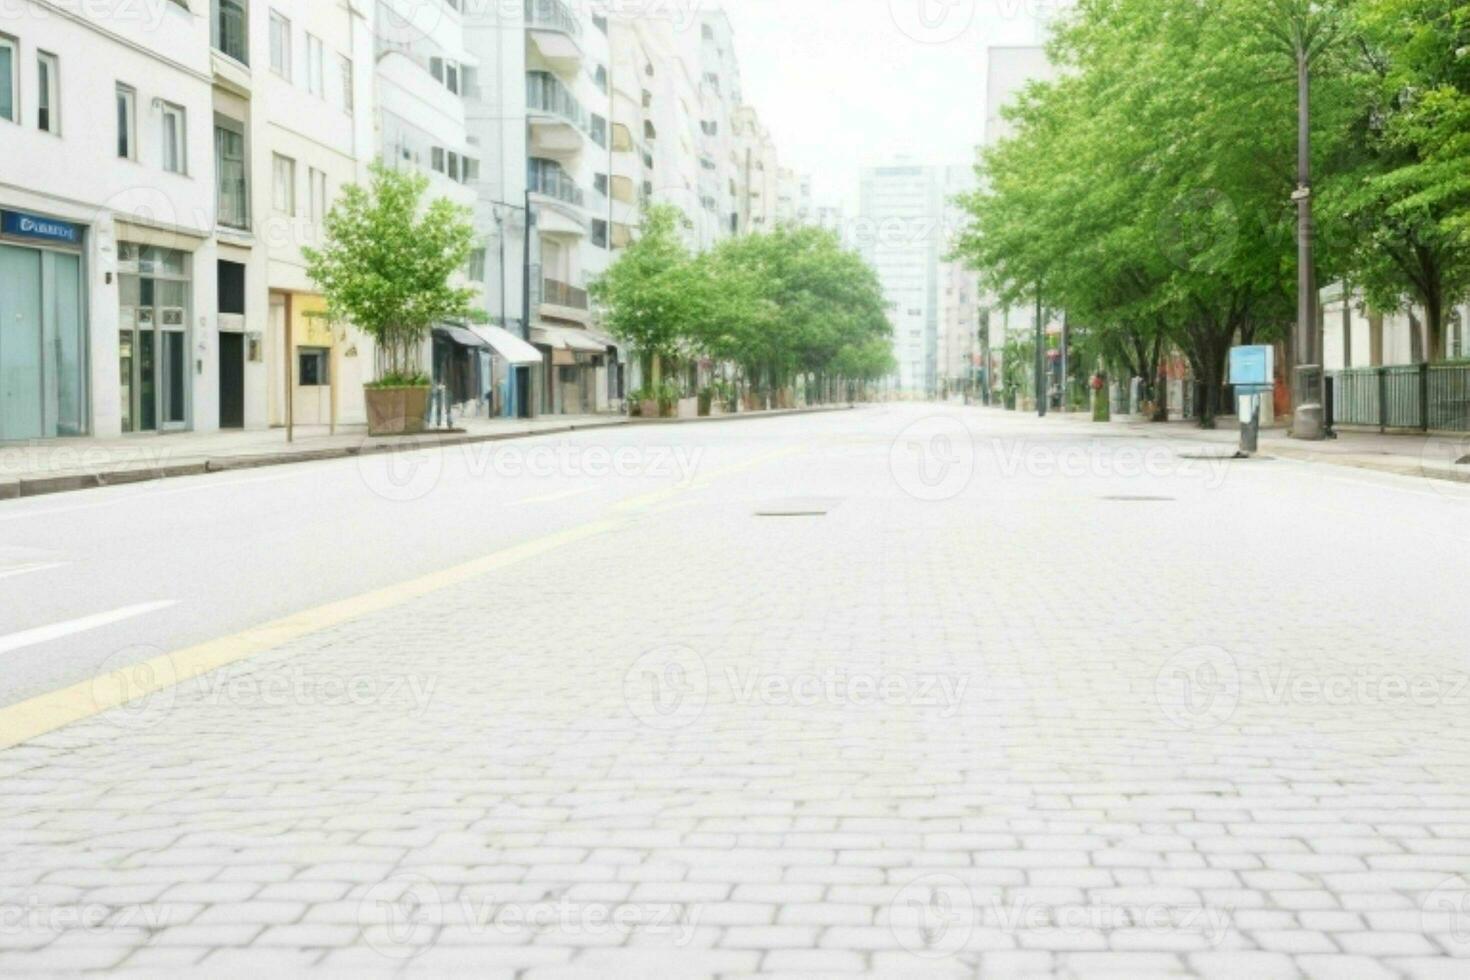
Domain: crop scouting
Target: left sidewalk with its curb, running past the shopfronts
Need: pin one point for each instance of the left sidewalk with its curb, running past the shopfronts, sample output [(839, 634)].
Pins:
[(54, 466)]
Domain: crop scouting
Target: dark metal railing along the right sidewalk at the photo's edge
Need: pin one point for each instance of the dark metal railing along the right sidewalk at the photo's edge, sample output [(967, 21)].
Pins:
[(1403, 397)]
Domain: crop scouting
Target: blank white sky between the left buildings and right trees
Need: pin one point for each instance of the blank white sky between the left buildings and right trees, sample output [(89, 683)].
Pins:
[(852, 83)]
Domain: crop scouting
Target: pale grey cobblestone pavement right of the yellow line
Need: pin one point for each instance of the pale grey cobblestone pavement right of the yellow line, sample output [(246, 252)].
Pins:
[(977, 699)]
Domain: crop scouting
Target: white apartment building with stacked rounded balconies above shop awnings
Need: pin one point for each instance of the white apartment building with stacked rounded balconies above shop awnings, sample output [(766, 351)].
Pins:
[(540, 114)]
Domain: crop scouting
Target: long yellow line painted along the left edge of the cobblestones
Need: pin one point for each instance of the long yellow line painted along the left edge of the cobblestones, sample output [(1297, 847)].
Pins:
[(58, 709)]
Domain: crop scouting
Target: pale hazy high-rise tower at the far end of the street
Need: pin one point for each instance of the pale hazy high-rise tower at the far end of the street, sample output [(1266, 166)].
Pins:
[(900, 236)]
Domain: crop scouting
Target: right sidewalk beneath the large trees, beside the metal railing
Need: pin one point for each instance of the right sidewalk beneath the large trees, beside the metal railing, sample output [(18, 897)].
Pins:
[(1406, 455)]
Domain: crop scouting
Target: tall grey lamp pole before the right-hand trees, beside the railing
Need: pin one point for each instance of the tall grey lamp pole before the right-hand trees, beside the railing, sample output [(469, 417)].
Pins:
[(1308, 419)]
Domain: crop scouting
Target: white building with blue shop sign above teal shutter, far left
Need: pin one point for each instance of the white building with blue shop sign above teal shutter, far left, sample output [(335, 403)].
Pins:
[(107, 221)]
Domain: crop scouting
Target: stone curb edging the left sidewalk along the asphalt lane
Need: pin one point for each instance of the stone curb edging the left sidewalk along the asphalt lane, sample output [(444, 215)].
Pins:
[(14, 489)]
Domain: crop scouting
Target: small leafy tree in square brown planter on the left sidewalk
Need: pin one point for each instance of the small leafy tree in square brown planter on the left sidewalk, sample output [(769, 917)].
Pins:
[(387, 267)]
